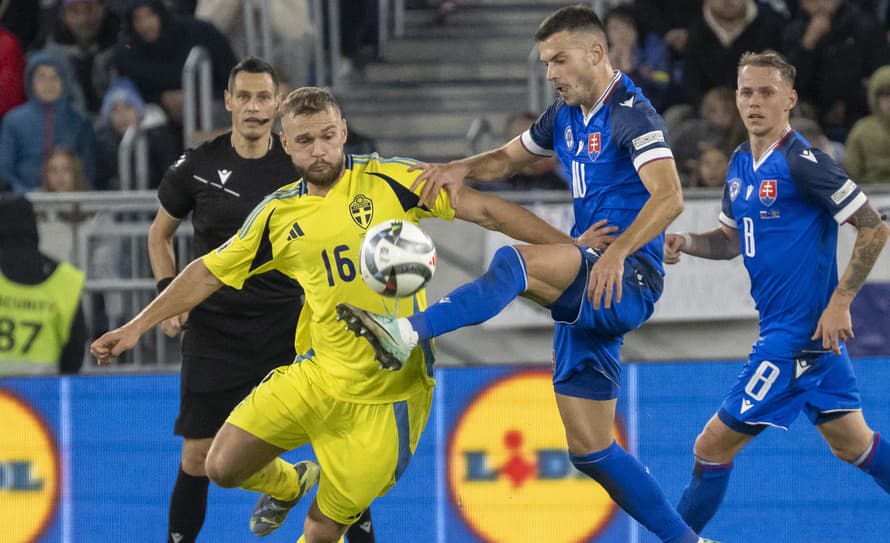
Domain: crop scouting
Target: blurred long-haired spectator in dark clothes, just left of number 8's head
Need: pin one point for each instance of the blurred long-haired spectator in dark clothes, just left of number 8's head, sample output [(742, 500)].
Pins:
[(718, 125)]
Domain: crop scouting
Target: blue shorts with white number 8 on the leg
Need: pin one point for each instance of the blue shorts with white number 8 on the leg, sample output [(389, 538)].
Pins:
[(773, 391)]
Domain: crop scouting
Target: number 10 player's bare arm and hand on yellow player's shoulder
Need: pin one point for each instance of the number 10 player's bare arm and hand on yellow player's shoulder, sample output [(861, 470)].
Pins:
[(489, 166)]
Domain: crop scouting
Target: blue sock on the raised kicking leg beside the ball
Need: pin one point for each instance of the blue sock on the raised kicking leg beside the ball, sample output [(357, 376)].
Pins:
[(477, 301)]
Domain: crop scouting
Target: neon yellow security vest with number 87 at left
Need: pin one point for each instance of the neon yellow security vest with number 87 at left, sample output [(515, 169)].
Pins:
[(35, 321)]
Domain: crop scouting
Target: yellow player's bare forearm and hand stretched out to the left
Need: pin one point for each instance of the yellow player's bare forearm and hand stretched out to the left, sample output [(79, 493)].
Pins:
[(190, 288)]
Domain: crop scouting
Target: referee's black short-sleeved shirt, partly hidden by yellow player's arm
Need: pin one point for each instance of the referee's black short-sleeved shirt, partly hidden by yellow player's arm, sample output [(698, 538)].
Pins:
[(234, 337)]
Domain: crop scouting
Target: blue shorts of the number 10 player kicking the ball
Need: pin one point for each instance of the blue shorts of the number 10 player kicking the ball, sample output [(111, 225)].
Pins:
[(587, 342)]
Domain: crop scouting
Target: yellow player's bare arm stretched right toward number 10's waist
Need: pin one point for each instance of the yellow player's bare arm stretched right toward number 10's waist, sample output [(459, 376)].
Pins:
[(494, 213)]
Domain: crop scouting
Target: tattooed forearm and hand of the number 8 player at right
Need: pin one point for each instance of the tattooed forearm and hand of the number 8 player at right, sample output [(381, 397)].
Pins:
[(835, 324)]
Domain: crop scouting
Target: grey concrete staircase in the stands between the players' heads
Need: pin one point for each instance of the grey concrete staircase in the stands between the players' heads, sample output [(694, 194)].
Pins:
[(434, 81)]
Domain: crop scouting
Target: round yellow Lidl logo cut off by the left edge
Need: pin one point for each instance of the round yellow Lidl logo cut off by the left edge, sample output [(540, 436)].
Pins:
[(29, 471)]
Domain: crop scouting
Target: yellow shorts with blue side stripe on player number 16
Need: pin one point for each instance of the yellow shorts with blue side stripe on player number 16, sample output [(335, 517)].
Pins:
[(362, 448)]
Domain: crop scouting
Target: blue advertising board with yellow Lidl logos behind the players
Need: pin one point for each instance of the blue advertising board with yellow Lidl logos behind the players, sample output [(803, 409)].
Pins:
[(93, 458)]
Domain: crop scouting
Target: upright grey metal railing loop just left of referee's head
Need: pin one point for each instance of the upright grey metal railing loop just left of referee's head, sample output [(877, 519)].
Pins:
[(197, 87)]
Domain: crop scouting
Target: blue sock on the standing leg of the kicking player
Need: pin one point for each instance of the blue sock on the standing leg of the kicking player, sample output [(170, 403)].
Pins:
[(631, 486)]
